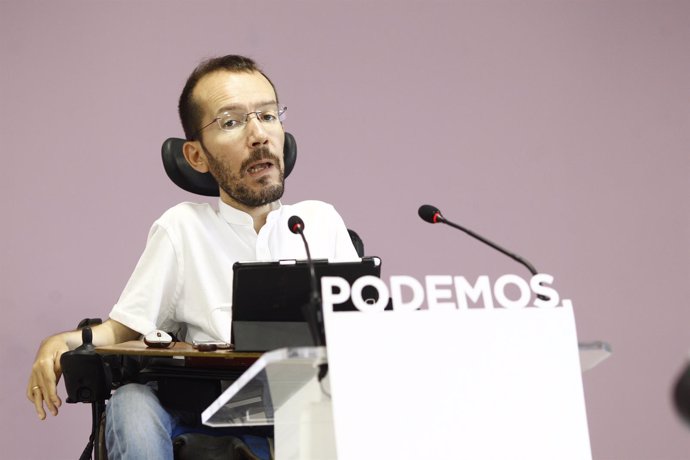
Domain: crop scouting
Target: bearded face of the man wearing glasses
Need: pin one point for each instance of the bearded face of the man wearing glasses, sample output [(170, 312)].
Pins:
[(247, 163)]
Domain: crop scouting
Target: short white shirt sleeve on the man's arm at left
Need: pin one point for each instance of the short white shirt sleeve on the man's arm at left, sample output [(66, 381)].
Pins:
[(147, 301)]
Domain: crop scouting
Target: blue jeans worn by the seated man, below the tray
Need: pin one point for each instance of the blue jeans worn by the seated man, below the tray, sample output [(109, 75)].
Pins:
[(138, 427)]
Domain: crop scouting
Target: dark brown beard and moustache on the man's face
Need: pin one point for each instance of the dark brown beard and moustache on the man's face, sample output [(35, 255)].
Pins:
[(232, 184)]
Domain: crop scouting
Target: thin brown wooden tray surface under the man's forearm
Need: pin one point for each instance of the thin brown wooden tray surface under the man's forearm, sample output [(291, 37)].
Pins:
[(181, 349)]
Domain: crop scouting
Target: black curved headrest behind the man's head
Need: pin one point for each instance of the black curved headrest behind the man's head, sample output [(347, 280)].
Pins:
[(191, 180)]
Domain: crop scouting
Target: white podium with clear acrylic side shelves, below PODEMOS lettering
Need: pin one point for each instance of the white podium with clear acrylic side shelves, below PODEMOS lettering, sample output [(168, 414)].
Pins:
[(478, 384)]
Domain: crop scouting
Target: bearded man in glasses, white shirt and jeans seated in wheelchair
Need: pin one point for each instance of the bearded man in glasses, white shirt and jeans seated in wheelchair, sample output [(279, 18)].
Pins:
[(232, 120)]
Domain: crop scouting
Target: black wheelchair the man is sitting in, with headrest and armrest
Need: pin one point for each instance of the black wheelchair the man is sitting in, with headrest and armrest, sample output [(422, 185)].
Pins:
[(90, 377)]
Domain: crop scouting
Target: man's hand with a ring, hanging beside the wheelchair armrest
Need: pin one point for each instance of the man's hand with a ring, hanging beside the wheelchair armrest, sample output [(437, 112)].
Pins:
[(45, 374)]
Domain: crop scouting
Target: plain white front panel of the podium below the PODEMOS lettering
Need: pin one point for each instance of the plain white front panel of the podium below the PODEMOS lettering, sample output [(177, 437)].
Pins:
[(476, 383)]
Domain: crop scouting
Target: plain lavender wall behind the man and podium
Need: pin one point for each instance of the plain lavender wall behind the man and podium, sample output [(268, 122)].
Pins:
[(558, 128)]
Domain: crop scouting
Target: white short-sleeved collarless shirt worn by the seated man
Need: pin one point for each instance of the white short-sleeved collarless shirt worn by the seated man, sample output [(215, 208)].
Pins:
[(184, 277)]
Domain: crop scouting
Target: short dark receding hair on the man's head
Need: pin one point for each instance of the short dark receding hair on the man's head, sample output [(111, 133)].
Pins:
[(189, 109)]
